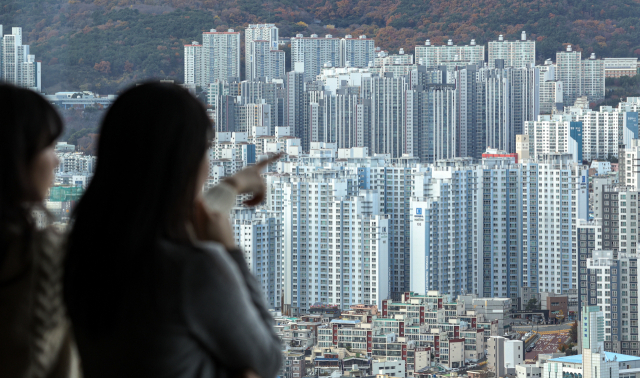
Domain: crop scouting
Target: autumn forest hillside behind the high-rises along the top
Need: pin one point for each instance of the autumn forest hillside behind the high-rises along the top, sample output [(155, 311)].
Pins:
[(105, 45)]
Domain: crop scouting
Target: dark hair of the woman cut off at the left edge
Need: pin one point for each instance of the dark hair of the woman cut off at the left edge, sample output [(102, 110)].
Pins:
[(28, 125)]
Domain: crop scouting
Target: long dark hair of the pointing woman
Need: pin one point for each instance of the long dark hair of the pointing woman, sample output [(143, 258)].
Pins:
[(152, 142)]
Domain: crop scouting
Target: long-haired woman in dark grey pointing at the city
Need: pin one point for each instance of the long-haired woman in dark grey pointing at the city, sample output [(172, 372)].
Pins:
[(154, 283)]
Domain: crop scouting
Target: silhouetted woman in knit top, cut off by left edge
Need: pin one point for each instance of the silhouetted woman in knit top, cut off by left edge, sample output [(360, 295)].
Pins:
[(35, 338)]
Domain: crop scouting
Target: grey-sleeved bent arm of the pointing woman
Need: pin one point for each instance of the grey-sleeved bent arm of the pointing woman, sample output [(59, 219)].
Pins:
[(222, 314)]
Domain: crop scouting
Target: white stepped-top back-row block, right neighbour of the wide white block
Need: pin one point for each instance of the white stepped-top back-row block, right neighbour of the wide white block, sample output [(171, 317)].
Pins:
[(521, 53)]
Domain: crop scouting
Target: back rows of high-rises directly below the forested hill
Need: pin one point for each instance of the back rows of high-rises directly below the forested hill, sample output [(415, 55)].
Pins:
[(441, 102)]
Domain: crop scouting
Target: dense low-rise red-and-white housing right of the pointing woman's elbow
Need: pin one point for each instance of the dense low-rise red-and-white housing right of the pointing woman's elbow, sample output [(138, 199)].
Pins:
[(410, 337)]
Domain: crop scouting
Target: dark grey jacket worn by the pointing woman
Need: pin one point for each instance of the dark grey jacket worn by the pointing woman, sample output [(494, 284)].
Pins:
[(201, 314)]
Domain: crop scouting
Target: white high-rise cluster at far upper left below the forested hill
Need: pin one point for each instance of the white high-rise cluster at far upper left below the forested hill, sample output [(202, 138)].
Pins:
[(17, 66)]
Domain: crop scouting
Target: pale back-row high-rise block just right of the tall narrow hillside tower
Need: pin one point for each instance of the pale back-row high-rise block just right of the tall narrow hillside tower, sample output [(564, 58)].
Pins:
[(315, 53)]
